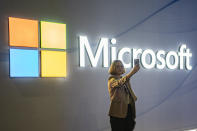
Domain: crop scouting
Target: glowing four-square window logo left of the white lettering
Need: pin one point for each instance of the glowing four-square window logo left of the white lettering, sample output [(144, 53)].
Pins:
[(37, 49)]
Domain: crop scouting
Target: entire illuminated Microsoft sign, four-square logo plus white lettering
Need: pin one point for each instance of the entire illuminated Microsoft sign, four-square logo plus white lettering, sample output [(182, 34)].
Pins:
[(32, 55)]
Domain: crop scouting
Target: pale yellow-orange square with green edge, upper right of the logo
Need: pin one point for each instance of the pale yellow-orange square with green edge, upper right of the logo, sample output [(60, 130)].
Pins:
[(53, 35)]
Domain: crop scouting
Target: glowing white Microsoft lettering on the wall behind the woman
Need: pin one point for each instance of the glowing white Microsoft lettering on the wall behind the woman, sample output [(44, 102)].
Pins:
[(159, 60)]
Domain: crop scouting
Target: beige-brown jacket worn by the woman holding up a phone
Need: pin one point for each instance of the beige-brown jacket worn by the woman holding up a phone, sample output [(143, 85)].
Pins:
[(119, 97)]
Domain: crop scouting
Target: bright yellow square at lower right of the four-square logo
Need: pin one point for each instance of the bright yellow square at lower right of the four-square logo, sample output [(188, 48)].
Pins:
[(53, 63)]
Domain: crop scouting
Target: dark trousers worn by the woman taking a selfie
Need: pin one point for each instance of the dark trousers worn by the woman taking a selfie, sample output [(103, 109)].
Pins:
[(123, 124)]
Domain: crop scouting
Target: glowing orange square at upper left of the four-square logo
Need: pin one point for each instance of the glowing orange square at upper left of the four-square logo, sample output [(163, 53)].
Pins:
[(23, 32)]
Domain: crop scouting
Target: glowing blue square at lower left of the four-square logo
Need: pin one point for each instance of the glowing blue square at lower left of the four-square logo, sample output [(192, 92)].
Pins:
[(24, 63)]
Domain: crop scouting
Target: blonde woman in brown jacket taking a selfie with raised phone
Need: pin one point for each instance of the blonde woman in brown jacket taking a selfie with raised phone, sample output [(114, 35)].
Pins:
[(122, 108)]
